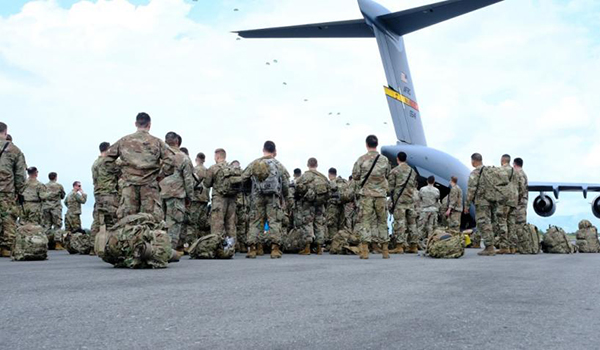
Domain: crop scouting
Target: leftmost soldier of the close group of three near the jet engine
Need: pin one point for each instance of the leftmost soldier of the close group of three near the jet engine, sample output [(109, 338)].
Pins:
[(479, 186)]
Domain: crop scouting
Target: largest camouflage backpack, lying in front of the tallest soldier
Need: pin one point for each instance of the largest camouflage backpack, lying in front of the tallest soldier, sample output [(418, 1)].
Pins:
[(138, 241)]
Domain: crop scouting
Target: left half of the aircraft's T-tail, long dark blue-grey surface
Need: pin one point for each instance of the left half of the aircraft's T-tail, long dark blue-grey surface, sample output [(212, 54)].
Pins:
[(343, 29)]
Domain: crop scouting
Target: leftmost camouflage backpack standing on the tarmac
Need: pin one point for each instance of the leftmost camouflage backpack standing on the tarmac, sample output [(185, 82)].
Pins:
[(31, 243)]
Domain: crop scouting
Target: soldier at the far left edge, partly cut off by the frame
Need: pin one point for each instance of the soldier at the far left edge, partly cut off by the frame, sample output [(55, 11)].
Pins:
[(12, 183)]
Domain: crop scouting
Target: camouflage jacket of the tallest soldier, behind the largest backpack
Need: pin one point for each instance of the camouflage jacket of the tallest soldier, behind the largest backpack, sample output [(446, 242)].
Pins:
[(141, 155)]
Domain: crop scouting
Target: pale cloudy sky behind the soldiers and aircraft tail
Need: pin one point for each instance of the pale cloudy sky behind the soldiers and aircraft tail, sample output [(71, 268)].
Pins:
[(518, 77)]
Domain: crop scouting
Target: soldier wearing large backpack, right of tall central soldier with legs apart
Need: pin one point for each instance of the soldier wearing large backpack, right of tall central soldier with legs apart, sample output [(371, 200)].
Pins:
[(313, 189)]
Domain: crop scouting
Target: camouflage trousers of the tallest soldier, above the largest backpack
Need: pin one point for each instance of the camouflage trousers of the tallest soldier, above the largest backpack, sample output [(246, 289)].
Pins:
[(137, 199)]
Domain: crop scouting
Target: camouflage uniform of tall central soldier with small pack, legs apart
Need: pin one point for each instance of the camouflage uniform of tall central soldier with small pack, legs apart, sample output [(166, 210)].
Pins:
[(265, 208)]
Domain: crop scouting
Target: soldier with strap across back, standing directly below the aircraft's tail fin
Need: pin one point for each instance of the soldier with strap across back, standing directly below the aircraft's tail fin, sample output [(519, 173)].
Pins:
[(403, 184)]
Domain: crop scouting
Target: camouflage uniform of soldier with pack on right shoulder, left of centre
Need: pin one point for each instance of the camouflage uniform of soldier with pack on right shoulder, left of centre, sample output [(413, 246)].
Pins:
[(223, 206)]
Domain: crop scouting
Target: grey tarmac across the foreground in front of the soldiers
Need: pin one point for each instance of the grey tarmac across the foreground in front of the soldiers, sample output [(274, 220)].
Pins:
[(315, 302)]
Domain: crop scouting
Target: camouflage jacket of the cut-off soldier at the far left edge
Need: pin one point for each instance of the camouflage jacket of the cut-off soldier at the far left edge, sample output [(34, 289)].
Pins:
[(12, 169)]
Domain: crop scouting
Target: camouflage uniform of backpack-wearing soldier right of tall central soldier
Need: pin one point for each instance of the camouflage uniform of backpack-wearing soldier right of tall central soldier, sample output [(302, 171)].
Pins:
[(312, 222)]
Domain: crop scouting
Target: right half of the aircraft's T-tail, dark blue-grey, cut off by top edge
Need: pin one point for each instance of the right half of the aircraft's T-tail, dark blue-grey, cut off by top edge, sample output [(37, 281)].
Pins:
[(408, 21)]
